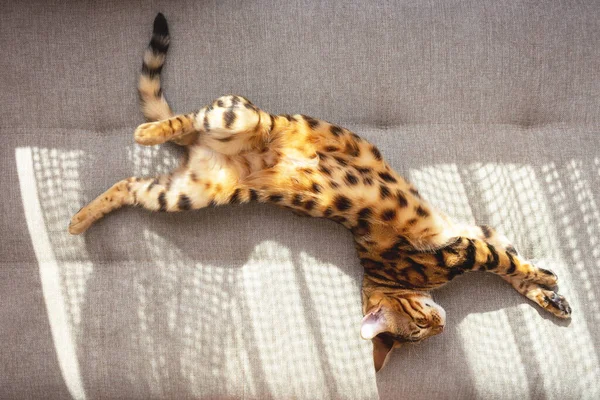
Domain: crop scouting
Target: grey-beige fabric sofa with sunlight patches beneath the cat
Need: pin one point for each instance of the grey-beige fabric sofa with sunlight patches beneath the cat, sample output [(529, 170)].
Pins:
[(491, 109)]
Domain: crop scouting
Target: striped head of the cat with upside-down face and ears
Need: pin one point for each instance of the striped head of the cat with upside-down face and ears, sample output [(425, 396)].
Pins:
[(392, 319)]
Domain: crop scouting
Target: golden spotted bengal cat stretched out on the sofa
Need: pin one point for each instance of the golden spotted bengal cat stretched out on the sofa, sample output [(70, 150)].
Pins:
[(238, 153)]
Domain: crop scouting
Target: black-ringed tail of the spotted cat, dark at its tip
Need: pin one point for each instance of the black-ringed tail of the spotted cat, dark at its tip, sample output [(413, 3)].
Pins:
[(153, 103)]
